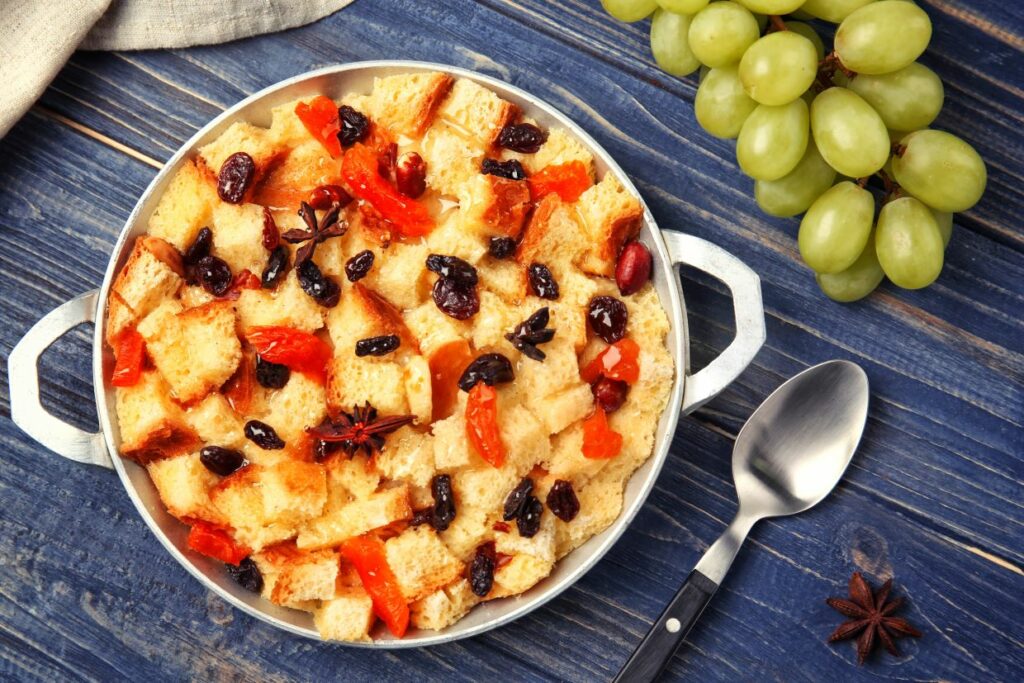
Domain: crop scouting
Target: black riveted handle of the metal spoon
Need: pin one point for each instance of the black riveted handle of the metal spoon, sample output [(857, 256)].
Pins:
[(669, 631)]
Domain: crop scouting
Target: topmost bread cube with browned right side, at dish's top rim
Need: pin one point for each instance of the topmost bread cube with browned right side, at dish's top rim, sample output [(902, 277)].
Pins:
[(406, 104)]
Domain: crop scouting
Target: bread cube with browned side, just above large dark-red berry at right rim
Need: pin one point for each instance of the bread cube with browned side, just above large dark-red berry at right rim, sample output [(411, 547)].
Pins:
[(612, 217)]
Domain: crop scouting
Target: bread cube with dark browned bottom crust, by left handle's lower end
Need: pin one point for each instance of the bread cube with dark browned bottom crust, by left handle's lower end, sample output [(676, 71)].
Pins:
[(152, 425)]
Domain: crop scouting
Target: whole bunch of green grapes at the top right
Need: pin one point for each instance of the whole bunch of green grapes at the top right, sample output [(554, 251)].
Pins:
[(815, 129)]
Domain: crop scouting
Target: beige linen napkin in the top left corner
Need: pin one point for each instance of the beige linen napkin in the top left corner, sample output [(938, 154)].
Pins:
[(38, 36)]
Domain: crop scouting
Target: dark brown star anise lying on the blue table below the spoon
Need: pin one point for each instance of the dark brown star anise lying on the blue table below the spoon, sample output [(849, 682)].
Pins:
[(871, 618)]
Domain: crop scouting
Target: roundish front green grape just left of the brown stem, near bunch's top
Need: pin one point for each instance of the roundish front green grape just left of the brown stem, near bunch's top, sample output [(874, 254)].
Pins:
[(779, 68)]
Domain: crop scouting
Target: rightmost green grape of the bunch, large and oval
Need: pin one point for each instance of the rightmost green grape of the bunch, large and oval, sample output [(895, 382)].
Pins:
[(942, 170)]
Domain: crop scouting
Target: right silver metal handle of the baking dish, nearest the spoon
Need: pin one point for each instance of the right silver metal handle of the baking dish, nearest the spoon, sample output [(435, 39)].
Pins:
[(701, 388)]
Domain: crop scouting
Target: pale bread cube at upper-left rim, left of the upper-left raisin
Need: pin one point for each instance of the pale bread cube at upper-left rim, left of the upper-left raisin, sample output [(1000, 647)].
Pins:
[(186, 207)]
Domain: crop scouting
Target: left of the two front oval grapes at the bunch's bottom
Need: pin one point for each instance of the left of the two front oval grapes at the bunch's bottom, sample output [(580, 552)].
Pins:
[(836, 228)]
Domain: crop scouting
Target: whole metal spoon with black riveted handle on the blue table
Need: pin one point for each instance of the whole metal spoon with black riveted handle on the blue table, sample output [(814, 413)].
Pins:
[(788, 457)]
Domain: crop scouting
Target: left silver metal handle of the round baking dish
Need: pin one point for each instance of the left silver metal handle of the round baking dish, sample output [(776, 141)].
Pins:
[(23, 374)]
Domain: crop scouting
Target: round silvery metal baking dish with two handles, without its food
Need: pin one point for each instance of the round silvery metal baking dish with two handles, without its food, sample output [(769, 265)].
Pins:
[(670, 249)]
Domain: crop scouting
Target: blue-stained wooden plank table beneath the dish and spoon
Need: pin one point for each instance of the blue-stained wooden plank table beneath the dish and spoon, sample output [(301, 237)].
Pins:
[(933, 498)]
